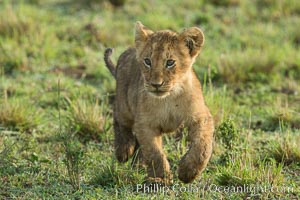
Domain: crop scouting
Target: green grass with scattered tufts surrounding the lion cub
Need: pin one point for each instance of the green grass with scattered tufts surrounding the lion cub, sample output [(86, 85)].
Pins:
[(56, 136)]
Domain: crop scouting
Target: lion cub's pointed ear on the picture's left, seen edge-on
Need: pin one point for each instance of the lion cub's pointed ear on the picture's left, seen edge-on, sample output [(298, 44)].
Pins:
[(141, 35)]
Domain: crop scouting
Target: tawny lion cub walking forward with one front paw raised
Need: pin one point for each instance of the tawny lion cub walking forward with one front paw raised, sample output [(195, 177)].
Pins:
[(158, 91)]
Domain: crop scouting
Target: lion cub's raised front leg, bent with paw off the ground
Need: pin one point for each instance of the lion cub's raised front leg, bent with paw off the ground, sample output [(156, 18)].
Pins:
[(201, 136)]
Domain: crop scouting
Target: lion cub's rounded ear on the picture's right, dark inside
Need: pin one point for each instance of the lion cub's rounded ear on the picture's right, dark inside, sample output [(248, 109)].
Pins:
[(193, 38)]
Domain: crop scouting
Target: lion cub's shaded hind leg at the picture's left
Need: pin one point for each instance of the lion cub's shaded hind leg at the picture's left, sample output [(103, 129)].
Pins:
[(124, 142)]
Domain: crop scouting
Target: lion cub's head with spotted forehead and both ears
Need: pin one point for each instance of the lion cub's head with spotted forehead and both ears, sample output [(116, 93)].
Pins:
[(166, 57)]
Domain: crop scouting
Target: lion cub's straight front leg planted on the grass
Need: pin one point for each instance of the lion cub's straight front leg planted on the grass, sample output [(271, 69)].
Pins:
[(150, 141)]
